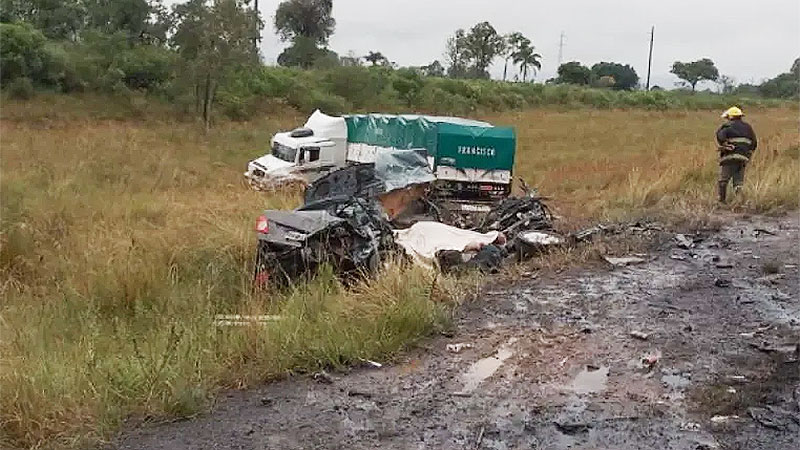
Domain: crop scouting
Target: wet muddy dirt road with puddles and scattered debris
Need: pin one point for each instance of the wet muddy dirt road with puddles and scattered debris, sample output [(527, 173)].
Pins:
[(695, 348)]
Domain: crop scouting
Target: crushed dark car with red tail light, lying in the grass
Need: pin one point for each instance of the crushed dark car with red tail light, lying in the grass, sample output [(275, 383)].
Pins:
[(349, 233)]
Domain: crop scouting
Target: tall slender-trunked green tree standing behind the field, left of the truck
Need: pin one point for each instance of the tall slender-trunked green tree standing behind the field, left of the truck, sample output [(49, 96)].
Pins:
[(214, 39)]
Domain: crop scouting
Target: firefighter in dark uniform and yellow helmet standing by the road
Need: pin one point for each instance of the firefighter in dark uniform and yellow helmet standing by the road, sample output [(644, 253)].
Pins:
[(736, 141)]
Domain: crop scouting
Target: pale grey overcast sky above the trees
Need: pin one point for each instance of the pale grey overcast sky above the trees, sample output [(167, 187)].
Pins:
[(749, 40)]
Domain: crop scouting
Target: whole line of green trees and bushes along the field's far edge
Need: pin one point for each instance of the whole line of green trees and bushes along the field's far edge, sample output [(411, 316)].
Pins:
[(204, 49)]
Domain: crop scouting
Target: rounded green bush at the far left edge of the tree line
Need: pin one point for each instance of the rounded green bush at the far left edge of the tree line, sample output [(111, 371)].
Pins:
[(22, 51)]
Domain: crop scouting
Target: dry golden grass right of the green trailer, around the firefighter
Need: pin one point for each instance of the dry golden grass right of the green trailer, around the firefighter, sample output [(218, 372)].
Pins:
[(618, 164)]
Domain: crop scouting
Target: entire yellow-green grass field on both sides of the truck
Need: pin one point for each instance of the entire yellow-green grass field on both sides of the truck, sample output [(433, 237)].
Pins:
[(122, 237)]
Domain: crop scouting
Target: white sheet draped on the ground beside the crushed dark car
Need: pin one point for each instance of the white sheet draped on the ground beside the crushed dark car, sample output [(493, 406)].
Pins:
[(423, 239)]
